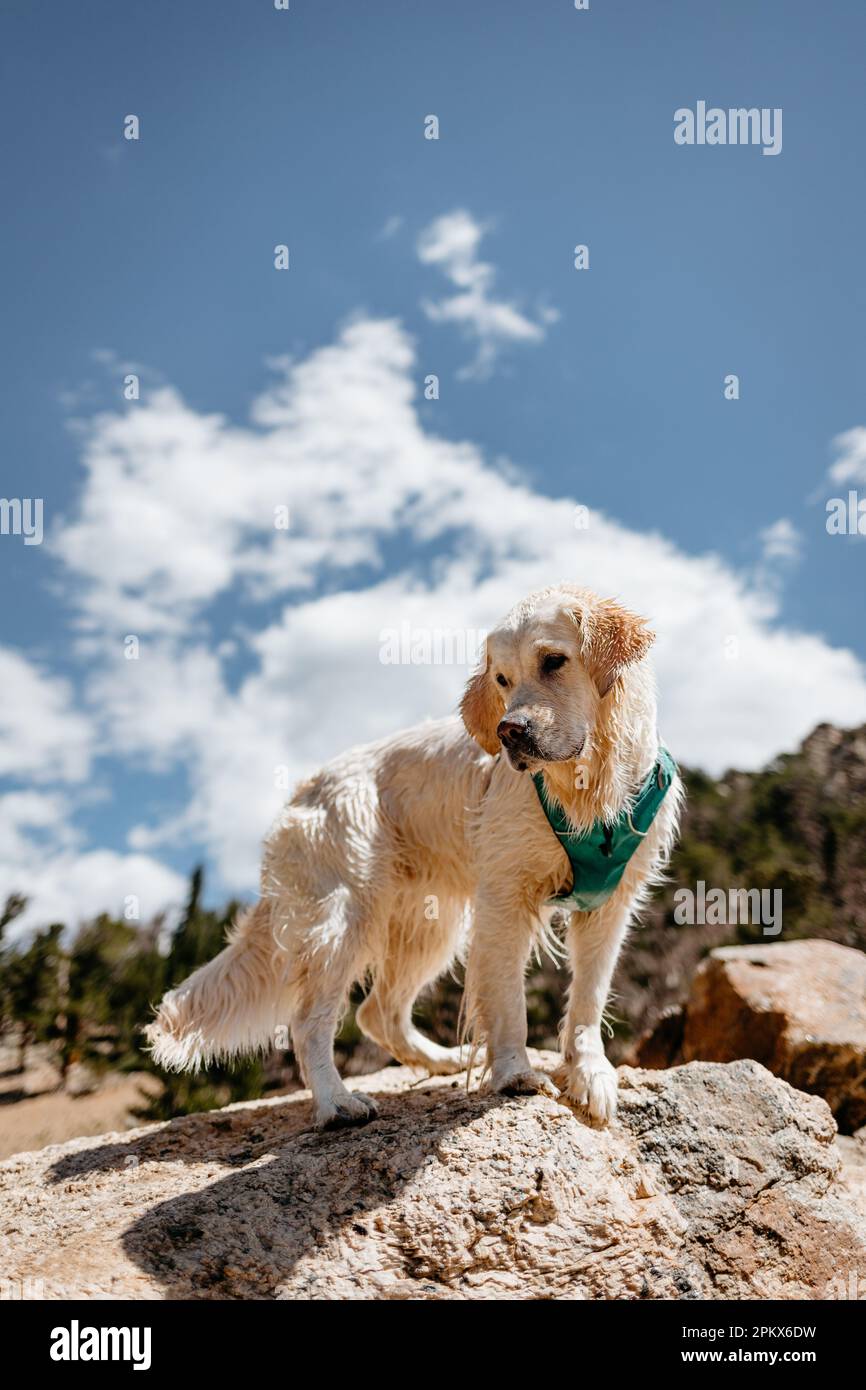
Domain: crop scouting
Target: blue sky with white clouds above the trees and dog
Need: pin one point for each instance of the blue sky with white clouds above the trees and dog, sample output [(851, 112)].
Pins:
[(308, 129)]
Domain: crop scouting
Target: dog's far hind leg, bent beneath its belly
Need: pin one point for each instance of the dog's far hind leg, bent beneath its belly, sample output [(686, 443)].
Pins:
[(414, 960)]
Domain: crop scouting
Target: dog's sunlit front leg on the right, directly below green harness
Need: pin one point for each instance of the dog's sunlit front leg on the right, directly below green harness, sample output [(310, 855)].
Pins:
[(594, 946)]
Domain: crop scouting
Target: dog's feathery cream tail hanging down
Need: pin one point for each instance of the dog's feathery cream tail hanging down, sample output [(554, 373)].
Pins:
[(229, 1007)]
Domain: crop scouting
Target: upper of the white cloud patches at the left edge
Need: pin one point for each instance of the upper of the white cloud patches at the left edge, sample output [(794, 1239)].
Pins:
[(41, 736)]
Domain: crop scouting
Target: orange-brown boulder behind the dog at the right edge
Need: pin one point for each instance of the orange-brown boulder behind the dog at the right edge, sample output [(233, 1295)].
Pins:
[(796, 1007)]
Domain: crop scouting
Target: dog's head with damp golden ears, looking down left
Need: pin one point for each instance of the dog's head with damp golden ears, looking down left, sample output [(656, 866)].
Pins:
[(547, 671)]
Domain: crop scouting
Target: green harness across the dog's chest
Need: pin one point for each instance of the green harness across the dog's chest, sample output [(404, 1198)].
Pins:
[(601, 856)]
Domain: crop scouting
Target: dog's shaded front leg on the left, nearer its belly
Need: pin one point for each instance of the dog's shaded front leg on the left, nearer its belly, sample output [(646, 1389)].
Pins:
[(496, 1000)]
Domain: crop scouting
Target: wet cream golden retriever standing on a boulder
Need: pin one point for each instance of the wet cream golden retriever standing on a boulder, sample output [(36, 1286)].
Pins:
[(440, 843)]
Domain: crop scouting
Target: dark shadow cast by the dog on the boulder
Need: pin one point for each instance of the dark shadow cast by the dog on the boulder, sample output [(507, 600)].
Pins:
[(300, 1196)]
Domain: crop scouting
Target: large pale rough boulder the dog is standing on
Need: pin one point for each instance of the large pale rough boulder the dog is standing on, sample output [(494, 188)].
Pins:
[(717, 1182)]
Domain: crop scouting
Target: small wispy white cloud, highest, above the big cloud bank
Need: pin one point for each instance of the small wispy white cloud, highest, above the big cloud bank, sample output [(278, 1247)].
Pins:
[(451, 244)]
